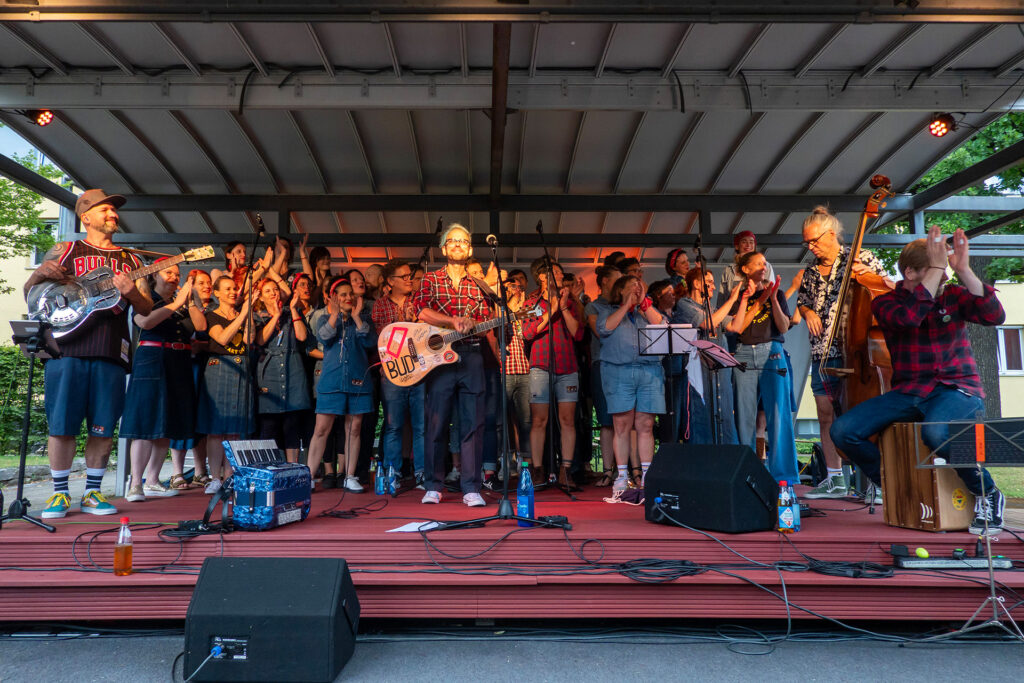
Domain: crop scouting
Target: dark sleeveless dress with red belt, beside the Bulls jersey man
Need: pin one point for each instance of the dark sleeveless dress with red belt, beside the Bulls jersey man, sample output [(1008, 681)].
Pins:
[(161, 398)]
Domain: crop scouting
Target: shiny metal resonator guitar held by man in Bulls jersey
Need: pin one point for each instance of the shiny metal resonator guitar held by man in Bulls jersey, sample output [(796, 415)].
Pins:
[(67, 305)]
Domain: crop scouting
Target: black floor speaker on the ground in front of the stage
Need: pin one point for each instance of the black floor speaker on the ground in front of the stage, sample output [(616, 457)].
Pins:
[(277, 619)]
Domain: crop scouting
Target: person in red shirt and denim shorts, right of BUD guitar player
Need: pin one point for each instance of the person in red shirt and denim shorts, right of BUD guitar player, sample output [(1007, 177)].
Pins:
[(551, 338)]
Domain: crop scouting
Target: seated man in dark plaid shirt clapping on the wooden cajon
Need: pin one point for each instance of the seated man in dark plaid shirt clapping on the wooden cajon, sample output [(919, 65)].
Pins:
[(935, 379)]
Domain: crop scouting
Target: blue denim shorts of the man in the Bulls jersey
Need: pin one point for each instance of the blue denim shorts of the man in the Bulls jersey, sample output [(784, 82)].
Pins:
[(77, 390)]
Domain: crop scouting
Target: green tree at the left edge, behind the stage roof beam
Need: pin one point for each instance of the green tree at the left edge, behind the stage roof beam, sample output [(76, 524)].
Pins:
[(22, 229)]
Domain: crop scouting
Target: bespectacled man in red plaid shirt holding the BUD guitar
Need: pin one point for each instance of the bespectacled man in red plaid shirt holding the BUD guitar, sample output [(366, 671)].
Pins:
[(450, 298)]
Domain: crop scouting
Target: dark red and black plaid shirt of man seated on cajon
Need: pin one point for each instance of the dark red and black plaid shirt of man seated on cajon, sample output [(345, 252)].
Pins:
[(927, 336)]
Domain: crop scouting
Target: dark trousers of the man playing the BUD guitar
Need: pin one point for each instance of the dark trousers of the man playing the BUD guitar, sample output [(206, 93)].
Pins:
[(459, 388)]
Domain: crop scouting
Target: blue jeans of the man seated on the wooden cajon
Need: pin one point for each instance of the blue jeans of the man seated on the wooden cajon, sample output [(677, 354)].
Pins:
[(850, 433)]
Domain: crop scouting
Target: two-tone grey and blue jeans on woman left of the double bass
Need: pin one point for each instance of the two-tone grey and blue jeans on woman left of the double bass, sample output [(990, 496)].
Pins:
[(767, 376)]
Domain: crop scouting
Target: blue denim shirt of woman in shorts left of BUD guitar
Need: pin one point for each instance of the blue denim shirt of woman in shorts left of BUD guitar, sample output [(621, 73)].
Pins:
[(347, 365)]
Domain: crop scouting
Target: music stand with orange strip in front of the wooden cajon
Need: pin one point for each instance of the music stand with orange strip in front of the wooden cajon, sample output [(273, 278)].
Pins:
[(969, 444)]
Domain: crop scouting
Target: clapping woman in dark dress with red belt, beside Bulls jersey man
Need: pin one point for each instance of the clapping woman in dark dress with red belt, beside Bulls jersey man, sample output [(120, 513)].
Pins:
[(161, 397)]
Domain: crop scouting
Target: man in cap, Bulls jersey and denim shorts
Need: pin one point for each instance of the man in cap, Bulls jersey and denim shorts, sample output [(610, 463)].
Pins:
[(89, 382)]
